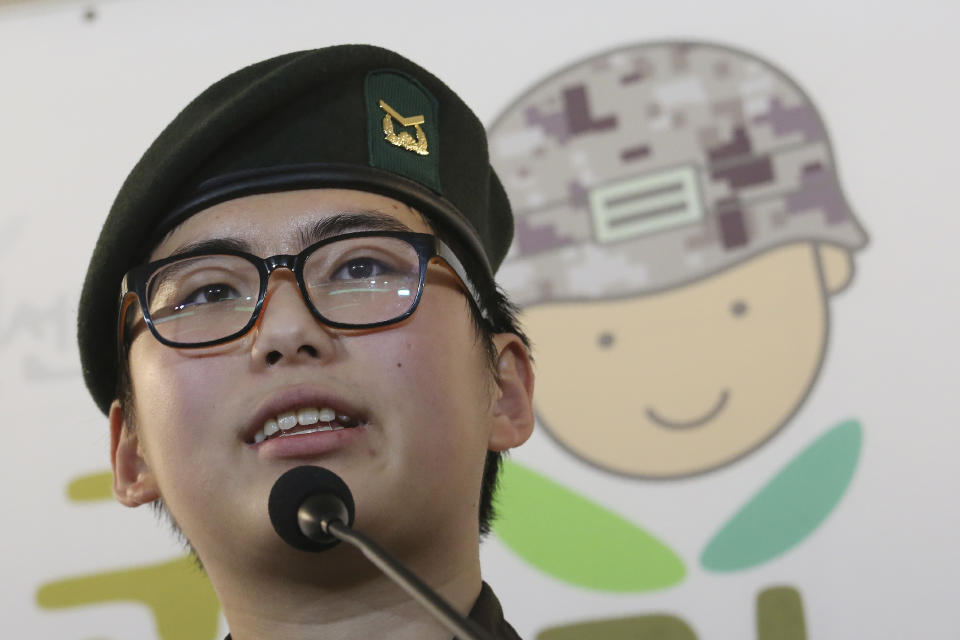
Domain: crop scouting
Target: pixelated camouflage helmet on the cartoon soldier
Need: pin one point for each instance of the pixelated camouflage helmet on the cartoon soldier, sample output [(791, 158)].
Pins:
[(653, 165)]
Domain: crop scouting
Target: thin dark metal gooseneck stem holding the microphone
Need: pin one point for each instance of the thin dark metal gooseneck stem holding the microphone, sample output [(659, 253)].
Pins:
[(463, 628)]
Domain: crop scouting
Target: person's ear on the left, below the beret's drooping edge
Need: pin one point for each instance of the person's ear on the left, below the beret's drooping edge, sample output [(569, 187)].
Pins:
[(133, 482)]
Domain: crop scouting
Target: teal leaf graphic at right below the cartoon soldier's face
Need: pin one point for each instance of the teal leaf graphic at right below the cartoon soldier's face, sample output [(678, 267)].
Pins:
[(791, 506)]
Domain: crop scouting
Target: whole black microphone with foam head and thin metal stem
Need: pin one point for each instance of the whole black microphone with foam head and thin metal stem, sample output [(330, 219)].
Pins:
[(312, 509)]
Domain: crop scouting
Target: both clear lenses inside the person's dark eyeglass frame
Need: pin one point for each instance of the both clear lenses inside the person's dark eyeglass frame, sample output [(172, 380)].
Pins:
[(355, 281)]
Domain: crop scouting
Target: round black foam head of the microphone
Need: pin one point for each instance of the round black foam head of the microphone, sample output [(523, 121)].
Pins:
[(293, 489)]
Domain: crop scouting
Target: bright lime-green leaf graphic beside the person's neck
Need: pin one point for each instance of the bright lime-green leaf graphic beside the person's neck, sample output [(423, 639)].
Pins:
[(577, 541)]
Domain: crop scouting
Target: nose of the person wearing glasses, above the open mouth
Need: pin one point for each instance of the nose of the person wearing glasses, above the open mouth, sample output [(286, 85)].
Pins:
[(286, 331)]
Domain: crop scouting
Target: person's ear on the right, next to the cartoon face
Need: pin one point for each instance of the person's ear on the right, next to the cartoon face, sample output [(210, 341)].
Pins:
[(513, 407)]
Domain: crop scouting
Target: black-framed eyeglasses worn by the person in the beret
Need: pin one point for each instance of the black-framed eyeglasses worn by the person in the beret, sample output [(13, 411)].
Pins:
[(351, 281)]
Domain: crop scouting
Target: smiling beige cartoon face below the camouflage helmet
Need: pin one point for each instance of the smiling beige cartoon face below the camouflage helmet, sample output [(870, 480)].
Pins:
[(687, 380)]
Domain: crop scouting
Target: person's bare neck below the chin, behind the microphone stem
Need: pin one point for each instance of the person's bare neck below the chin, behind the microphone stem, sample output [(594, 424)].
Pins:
[(338, 594)]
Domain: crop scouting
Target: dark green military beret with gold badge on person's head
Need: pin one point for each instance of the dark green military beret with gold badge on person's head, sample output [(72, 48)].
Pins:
[(350, 116)]
